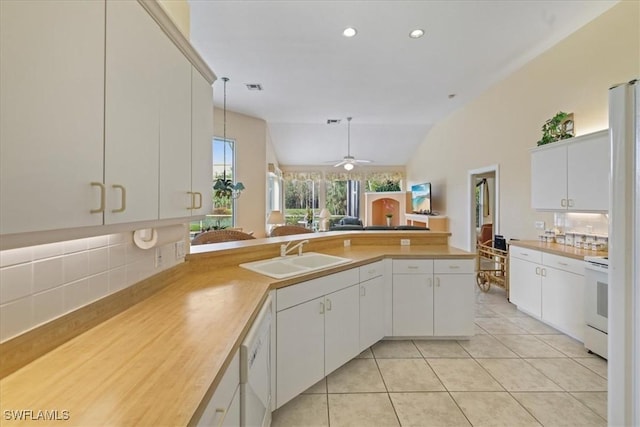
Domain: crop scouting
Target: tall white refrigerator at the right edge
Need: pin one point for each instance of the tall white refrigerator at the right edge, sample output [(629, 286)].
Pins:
[(624, 256)]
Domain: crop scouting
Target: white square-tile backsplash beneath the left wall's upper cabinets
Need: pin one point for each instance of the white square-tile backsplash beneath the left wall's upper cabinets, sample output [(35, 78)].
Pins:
[(41, 283)]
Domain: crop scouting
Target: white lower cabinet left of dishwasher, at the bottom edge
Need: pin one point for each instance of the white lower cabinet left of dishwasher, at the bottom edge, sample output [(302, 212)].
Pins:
[(224, 407)]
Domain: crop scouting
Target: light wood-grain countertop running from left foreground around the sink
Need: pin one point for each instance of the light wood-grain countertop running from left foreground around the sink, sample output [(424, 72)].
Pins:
[(154, 363)]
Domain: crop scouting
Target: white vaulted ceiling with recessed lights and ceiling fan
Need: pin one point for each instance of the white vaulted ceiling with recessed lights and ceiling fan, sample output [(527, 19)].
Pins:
[(395, 87)]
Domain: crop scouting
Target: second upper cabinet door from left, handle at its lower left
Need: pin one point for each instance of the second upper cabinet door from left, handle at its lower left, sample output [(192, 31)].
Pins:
[(132, 122)]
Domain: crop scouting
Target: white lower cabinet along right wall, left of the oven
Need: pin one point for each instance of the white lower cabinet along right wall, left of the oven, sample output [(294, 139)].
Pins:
[(549, 287)]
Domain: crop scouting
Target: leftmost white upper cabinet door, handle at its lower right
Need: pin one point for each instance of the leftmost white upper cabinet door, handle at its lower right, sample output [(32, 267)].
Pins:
[(52, 103)]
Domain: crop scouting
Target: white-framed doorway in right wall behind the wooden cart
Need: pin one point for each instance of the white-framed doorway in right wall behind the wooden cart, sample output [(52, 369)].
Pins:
[(484, 202)]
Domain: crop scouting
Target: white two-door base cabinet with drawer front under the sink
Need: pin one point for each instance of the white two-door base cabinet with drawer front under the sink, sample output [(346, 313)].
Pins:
[(317, 330)]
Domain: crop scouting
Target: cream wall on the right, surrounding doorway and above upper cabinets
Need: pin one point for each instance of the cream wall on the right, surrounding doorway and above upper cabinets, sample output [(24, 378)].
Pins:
[(502, 124)]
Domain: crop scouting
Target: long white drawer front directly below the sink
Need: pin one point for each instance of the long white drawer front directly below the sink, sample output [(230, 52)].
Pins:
[(311, 289)]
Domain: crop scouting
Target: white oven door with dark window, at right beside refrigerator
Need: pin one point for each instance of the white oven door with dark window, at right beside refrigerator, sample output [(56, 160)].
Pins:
[(596, 296)]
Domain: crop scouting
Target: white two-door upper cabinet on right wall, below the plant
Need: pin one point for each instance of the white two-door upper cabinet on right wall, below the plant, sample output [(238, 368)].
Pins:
[(572, 175)]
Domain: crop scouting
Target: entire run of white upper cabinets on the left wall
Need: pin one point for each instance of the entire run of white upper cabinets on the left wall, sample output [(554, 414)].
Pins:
[(96, 125)]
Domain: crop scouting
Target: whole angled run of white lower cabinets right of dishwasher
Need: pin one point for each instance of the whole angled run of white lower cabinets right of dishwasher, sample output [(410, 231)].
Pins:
[(323, 323)]
